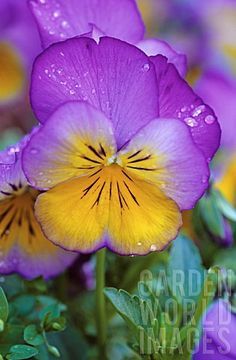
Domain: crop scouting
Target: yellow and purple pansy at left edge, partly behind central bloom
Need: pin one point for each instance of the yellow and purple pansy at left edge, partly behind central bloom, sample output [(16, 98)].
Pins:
[(23, 247)]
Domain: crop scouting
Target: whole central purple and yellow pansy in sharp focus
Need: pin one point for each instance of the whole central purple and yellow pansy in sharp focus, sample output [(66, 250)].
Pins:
[(123, 149)]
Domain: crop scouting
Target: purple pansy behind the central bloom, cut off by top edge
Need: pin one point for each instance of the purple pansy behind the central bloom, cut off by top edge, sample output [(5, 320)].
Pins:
[(59, 20)]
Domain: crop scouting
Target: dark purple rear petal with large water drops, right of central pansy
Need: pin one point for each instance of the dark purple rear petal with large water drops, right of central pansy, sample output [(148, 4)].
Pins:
[(177, 100)]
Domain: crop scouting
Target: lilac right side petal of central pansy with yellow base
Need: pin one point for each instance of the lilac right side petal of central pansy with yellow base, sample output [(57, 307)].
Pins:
[(176, 165)]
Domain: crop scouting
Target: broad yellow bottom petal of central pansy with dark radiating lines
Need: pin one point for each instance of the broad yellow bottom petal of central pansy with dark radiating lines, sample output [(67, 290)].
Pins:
[(110, 207)]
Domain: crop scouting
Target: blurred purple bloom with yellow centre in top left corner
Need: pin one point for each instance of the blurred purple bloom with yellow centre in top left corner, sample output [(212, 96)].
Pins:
[(19, 45)]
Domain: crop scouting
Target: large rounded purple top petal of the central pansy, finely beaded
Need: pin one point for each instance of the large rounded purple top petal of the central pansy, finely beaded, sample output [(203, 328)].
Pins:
[(113, 76)]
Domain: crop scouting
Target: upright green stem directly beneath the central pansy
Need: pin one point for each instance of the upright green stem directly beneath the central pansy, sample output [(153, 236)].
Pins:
[(100, 302)]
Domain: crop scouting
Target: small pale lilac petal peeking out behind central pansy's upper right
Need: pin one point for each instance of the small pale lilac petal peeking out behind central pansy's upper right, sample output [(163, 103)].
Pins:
[(153, 47)]
